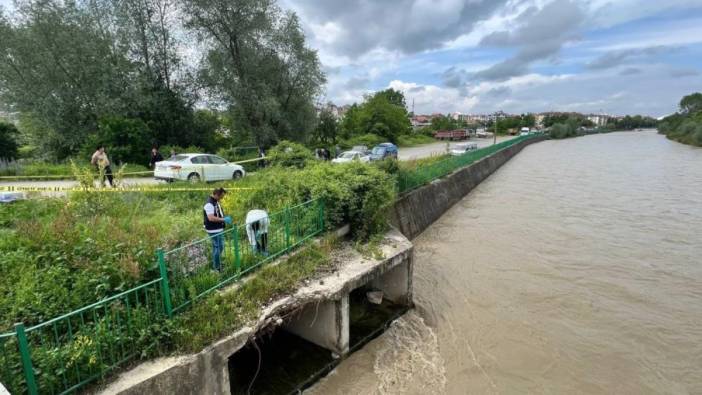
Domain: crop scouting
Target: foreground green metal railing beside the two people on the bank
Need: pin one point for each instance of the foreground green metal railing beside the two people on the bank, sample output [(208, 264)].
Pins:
[(65, 353)]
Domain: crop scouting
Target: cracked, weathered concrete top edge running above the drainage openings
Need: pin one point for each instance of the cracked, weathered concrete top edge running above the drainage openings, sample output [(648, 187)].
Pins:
[(165, 375)]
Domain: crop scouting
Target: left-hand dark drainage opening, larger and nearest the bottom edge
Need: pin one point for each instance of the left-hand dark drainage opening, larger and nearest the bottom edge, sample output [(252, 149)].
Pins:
[(288, 364)]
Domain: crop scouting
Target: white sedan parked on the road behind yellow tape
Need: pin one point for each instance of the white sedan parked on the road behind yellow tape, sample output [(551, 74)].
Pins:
[(197, 167)]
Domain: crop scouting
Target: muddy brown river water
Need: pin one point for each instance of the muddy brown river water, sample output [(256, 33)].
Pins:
[(575, 268)]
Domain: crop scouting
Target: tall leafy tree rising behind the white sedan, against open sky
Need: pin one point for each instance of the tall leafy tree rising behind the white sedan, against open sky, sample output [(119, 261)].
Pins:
[(259, 66)]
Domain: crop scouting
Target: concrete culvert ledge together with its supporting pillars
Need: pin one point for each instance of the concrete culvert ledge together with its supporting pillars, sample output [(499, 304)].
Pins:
[(207, 371)]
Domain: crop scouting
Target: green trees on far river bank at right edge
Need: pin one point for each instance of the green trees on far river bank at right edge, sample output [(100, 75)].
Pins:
[(685, 126)]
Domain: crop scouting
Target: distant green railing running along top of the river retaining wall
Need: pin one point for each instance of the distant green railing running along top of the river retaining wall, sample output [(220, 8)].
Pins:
[(412, 179)]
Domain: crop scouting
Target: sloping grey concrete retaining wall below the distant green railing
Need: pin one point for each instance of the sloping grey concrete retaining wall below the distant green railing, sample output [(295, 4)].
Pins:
[(416, 210)]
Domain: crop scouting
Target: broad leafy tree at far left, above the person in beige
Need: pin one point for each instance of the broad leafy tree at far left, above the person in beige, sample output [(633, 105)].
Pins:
[(60, 66)]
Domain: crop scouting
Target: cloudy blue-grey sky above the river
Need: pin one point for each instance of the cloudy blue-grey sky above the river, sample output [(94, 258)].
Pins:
[(474, 56)]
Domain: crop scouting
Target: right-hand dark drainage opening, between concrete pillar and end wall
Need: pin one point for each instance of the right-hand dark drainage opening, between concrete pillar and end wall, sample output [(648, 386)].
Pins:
[(368, 318)]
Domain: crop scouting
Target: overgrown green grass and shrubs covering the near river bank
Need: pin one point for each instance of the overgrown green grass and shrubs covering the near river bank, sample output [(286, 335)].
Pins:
[(61, 254)]
